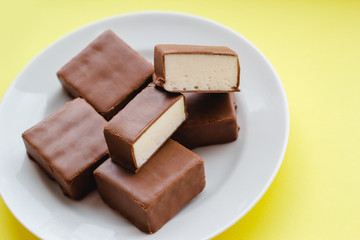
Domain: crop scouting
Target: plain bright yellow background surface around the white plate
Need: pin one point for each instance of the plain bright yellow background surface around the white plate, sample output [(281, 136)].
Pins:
[(315, 48)]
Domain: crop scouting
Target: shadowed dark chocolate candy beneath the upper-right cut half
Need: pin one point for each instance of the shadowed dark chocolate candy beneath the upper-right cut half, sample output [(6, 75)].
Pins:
[(211, 120)]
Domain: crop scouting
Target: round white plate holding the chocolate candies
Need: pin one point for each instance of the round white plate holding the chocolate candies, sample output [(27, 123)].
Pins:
[(238, 173)]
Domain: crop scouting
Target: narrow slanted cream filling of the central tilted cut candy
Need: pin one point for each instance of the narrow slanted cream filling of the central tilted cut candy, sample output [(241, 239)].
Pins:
[(159, 131)]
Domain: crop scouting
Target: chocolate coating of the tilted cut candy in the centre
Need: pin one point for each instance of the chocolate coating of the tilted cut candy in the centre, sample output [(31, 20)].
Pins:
[(131, 122)]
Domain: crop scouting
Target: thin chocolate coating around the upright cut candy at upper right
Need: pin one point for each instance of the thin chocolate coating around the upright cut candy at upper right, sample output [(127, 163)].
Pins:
[(159, 77)]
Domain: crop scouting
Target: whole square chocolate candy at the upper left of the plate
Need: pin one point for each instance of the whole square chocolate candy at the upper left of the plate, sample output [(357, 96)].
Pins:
[(108, 74)]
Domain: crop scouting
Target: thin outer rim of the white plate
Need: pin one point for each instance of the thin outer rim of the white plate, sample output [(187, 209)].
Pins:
[(5, 97)]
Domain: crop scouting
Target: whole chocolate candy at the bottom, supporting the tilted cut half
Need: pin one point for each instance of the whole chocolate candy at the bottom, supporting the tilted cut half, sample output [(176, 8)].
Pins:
[(151, 197)]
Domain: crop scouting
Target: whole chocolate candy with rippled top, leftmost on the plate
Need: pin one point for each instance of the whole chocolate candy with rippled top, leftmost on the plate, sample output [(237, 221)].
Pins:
[(69, 145)]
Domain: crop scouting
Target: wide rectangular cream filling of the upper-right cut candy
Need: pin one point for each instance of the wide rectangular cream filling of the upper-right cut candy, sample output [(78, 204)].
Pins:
[(200, 72)]
